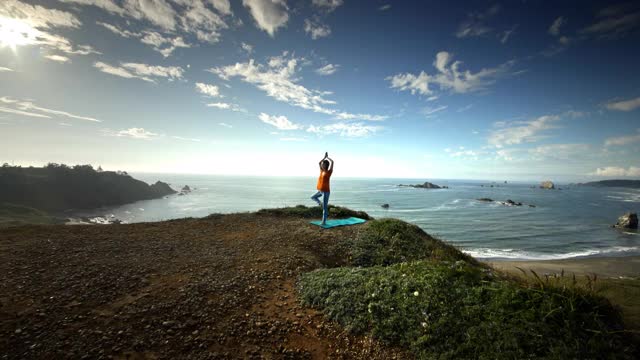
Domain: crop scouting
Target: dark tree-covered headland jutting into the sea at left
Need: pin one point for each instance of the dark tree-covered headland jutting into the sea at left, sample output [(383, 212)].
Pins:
[(58, 187)]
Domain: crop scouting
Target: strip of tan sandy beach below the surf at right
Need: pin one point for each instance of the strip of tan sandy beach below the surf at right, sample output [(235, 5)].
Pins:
[(605, 267)]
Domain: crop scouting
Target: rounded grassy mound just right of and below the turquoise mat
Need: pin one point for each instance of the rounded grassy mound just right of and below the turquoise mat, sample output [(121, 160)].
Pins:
[(391, 241)]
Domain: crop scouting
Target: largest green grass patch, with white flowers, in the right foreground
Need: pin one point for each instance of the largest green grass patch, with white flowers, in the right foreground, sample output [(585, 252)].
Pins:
[(448, 310)]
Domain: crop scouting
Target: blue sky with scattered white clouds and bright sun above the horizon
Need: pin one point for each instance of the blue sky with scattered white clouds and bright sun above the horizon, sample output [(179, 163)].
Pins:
[(511, 90)]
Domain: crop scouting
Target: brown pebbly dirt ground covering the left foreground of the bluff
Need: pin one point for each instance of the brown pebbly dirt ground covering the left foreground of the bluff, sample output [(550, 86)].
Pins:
[(219, 287)]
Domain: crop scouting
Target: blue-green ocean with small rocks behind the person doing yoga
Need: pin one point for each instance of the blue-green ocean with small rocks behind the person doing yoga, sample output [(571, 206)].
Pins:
[(568, 223)]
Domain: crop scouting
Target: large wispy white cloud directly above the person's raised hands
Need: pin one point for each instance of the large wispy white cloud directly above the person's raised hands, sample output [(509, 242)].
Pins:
[(278, 80)]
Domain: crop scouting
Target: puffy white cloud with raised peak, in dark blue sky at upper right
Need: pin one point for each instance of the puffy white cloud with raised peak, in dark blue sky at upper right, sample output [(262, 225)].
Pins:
[(448, 78)]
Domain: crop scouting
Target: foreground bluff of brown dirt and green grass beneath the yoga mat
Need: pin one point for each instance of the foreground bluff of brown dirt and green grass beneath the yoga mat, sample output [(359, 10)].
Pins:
[(270, 285)]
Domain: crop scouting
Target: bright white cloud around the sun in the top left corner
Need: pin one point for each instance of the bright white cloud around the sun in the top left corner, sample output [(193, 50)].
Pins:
[(31, 24)]
